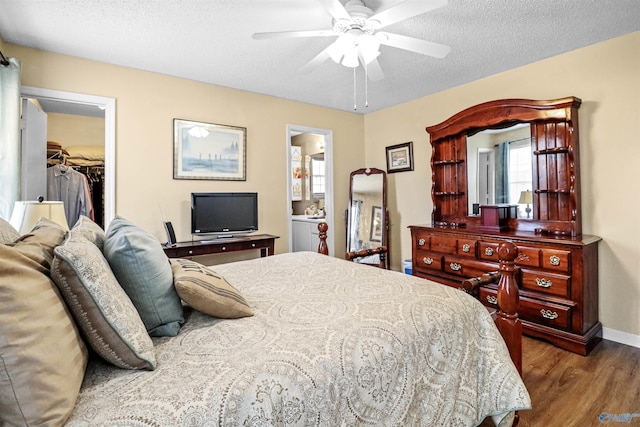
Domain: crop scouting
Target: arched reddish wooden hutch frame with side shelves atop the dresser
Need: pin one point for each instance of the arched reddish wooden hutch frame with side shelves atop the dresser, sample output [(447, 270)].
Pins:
[(555, 165)]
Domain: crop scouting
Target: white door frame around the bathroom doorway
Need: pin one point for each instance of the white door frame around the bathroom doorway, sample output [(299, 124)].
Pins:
[(293, 130)]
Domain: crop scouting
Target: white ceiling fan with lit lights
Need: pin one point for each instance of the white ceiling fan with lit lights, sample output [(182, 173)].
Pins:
[(359, 40)]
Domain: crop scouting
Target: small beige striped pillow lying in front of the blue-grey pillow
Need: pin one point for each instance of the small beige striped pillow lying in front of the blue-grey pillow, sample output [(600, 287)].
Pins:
[(207, 291)]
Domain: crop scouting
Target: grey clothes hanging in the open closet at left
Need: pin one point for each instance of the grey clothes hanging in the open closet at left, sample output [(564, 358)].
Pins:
[(70, 187)]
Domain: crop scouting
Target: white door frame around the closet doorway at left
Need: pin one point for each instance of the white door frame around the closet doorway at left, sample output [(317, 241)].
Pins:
[(109, 107)]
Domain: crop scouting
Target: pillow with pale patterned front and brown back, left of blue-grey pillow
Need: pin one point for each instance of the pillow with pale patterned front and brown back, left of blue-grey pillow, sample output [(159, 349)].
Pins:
[(101, 308)]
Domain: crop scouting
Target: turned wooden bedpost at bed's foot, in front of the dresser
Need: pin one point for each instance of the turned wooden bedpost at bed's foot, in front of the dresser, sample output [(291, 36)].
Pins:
[(507, 321)]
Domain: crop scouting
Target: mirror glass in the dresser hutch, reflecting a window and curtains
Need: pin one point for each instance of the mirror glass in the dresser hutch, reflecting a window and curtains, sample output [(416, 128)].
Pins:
[(499, 169)]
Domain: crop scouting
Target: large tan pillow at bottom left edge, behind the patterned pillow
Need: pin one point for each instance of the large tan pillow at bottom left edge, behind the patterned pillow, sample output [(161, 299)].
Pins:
[(42, 355)]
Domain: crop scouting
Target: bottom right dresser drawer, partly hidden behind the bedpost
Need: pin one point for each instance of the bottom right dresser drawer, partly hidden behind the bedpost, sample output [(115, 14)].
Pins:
[(541, 312)]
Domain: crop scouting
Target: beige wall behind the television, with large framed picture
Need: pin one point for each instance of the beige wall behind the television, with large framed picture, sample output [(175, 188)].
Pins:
[(147, 103)]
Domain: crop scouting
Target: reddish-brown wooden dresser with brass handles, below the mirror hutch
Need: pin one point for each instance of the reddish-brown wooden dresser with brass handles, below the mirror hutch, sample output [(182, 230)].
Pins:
[(559, 278)]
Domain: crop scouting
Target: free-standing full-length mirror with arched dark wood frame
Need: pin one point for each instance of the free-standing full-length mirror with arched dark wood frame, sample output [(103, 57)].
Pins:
[(367, 217)]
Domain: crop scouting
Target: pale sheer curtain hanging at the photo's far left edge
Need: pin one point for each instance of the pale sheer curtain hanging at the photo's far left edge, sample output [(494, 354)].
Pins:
[(9, 136)]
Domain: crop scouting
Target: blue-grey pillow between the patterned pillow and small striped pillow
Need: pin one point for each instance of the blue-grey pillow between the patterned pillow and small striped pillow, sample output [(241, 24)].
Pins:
[(143, 270)]
